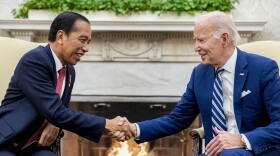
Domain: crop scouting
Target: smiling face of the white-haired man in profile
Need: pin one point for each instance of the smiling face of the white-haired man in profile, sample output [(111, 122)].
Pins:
[(208, 46)]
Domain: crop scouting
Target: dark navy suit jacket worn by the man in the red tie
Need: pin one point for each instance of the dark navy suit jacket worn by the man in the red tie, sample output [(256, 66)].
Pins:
[(31, 98)]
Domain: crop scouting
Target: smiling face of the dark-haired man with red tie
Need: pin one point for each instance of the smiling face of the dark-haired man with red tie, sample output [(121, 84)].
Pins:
[(74, 45)]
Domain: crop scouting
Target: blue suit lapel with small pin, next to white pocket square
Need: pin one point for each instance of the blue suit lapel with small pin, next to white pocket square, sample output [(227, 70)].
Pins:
[(239, 81)]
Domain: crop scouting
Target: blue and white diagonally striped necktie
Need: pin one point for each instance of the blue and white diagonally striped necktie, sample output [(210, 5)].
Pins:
[(218, 116)]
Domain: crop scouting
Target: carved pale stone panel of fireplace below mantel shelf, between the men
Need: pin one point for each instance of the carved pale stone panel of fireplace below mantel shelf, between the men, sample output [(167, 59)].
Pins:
[(142, 46)]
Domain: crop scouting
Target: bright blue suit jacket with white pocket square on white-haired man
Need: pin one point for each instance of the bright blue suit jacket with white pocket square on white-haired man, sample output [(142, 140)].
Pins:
[(257, 114)]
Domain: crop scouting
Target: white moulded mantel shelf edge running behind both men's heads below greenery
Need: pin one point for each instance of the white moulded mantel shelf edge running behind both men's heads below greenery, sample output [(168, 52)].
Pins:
[(168, 26)]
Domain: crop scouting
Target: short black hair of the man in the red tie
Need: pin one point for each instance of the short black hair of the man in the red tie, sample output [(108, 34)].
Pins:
[(64, 21)]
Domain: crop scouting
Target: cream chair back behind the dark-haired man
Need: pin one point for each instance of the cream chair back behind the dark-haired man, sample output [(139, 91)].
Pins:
[(11, 51)]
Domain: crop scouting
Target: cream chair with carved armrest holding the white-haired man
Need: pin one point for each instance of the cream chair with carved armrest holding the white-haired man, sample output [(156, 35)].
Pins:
[(270, 49)]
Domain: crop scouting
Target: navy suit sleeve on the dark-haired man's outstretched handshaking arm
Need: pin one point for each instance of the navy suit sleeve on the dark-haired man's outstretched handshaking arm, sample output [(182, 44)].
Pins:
[(35, 81)]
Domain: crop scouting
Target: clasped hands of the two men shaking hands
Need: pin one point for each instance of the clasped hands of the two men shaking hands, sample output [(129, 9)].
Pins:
[(120, 128)]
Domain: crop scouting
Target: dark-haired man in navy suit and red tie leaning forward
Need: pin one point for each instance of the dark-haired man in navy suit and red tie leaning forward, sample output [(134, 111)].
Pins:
[(40, 90)]
